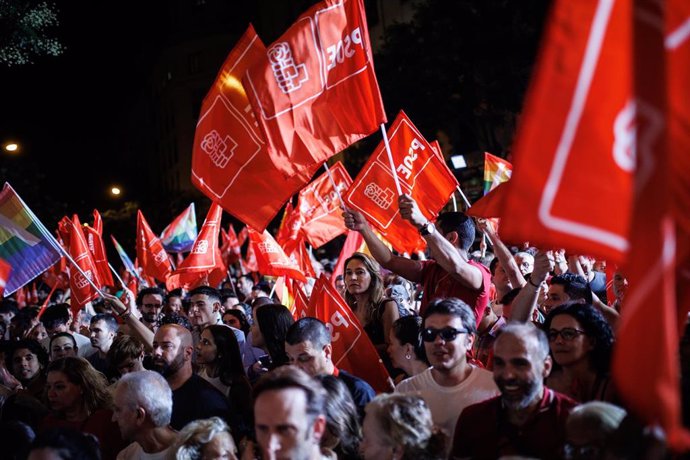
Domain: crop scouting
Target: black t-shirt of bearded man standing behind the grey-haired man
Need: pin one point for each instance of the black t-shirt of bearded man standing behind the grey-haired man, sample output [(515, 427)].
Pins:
[(197, 399)]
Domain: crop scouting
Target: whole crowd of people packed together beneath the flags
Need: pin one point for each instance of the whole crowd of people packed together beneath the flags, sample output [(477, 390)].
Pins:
[(501, 353)]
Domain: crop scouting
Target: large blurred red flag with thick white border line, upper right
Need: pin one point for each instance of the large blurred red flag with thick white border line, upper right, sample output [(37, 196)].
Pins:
[(571, 182)]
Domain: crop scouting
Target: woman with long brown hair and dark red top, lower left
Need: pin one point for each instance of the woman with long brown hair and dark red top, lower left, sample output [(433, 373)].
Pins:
[(78, 397)]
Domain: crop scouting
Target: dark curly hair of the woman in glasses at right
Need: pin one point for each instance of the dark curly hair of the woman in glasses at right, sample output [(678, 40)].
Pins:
[(595, 327)]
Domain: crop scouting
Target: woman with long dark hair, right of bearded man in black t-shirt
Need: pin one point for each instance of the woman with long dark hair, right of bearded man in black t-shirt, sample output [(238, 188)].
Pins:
[(218, 354)]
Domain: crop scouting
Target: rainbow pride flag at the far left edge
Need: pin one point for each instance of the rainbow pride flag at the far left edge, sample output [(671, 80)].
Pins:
[(25, 244)]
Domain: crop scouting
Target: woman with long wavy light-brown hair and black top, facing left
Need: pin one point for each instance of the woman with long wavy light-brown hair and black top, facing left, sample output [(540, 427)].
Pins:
[(365, 295)]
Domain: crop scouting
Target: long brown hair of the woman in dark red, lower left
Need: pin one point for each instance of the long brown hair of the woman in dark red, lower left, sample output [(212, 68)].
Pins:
[(81, 373)]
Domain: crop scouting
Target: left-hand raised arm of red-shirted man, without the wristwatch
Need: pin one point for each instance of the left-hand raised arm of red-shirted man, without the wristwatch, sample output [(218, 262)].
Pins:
[(407, 268)]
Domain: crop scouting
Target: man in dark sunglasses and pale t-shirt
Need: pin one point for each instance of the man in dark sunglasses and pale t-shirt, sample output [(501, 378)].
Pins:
[(451, 383)]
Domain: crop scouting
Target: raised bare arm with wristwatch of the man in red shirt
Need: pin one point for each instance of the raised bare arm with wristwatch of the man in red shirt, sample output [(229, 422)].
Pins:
[(443, 251)]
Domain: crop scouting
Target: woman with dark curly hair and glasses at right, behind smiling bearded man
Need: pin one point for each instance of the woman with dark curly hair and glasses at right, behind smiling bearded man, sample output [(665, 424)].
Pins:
[(580, 340)]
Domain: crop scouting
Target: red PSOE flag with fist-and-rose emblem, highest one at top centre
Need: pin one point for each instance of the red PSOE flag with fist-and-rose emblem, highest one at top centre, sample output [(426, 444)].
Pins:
[(314, 92)]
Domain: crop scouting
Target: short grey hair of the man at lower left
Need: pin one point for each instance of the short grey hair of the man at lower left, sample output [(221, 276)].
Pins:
[(149, 390)]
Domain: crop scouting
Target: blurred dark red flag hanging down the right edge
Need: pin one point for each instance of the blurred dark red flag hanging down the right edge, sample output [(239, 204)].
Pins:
[(648, 330)]
